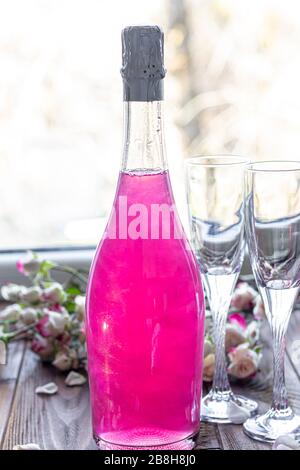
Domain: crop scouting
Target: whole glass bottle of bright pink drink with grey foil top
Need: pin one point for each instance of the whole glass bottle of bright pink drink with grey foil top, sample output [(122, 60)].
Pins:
[(145, 307)]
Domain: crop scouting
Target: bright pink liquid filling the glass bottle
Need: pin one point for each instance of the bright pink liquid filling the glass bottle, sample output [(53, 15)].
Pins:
[(144, 330)]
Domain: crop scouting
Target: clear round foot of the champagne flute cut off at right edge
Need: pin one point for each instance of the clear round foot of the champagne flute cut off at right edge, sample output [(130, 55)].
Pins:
[(274, 423)]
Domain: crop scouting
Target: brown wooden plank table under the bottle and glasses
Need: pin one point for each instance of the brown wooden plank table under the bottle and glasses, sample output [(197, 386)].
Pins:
[(62, 421)]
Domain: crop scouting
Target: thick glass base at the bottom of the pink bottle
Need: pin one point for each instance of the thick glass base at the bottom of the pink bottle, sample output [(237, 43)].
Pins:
[(145, 439)]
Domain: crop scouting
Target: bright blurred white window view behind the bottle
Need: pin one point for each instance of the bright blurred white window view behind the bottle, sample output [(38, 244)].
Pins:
[(232, 86)]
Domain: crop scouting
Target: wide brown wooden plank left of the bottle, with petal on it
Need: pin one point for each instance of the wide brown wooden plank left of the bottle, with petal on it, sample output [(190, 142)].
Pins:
[(60, 421)]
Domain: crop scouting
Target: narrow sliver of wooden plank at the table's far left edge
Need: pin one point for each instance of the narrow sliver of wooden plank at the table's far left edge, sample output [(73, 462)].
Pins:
[(9, 374)]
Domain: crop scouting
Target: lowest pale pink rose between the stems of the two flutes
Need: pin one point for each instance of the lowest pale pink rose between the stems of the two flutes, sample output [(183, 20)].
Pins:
[(244, 362)]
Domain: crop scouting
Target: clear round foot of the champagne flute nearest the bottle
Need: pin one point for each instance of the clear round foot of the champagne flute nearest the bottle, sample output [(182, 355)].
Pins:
[(225, 407)]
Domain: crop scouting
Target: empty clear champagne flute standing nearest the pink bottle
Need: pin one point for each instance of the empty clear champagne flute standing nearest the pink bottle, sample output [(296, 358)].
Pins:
[(215, 194)]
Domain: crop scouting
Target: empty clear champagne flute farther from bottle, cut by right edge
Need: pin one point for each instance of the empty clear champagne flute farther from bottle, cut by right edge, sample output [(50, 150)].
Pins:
[(273, 237)]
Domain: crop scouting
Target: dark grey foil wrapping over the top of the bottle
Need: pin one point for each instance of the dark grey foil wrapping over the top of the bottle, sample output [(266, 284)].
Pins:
[(143, 63)]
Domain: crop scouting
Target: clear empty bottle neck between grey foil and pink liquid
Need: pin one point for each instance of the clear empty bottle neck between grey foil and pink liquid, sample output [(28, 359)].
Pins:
[(144, 144)]
